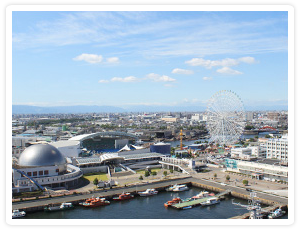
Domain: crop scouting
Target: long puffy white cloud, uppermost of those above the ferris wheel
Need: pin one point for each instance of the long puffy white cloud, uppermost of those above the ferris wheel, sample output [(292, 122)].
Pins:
[(224, 62)]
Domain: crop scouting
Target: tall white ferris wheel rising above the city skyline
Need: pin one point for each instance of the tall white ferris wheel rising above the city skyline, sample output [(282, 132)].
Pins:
[(225, 117)]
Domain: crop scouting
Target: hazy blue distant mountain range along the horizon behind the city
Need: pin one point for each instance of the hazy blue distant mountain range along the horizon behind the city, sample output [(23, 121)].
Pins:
[(26, 109)]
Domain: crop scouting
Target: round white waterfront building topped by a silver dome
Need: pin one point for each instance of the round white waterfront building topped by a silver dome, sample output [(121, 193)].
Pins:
[(44, 165)]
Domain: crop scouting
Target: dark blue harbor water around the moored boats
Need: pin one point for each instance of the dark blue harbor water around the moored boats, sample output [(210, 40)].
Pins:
[(149, 208)]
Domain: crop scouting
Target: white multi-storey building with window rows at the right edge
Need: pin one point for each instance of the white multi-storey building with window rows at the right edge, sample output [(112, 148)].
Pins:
[(278, 149)]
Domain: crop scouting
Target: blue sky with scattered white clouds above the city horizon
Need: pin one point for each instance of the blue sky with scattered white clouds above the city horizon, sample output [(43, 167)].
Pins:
[(148, 58)]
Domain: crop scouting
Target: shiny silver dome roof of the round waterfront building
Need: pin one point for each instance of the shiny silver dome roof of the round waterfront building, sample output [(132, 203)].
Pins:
[(41, 155)]
